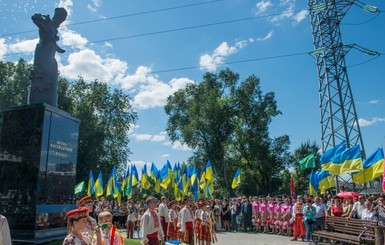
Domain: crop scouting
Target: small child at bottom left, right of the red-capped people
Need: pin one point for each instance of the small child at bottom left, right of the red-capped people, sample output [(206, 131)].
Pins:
[(108, 230)]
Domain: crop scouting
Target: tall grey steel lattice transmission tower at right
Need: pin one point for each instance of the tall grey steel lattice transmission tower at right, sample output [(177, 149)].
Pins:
[(339, 119)]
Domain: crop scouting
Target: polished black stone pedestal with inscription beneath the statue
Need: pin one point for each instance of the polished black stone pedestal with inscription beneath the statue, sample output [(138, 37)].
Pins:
[(38, 154)]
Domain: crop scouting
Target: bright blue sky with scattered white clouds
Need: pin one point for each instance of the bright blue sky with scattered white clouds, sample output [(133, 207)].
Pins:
[(144, 46)]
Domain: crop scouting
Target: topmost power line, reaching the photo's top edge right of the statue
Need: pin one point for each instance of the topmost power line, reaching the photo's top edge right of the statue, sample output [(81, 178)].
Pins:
[(123, 16)]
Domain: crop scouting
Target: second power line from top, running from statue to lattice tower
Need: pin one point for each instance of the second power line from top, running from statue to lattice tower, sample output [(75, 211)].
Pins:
[(169, 31)]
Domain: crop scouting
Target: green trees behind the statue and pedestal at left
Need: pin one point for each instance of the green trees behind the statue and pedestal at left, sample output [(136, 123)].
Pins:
[(106, 116)]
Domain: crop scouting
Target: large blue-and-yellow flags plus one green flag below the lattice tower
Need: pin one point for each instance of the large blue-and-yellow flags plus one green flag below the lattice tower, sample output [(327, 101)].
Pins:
[(340, 160)]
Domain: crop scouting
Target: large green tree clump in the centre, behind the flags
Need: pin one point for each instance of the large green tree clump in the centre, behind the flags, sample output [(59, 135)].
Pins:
[(227, 120)]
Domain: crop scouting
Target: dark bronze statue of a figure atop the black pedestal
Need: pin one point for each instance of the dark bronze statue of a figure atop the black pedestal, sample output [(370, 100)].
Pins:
[(44, 75)]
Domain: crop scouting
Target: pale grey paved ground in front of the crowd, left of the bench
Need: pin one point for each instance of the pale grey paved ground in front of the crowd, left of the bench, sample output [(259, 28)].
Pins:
[(243, 238)]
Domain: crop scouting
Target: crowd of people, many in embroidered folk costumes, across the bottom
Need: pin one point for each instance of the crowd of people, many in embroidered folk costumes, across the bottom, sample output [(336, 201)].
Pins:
[(189, 221)]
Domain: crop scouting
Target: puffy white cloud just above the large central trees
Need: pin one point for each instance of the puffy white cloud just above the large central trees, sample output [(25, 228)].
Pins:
[(211, 62)]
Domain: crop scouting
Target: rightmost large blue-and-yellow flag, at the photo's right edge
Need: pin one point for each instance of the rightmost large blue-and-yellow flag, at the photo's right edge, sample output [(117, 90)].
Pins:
[(373, 167)]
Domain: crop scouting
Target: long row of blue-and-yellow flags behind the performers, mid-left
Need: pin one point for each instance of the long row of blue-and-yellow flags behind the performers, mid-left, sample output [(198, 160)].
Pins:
[(181, 179)]
